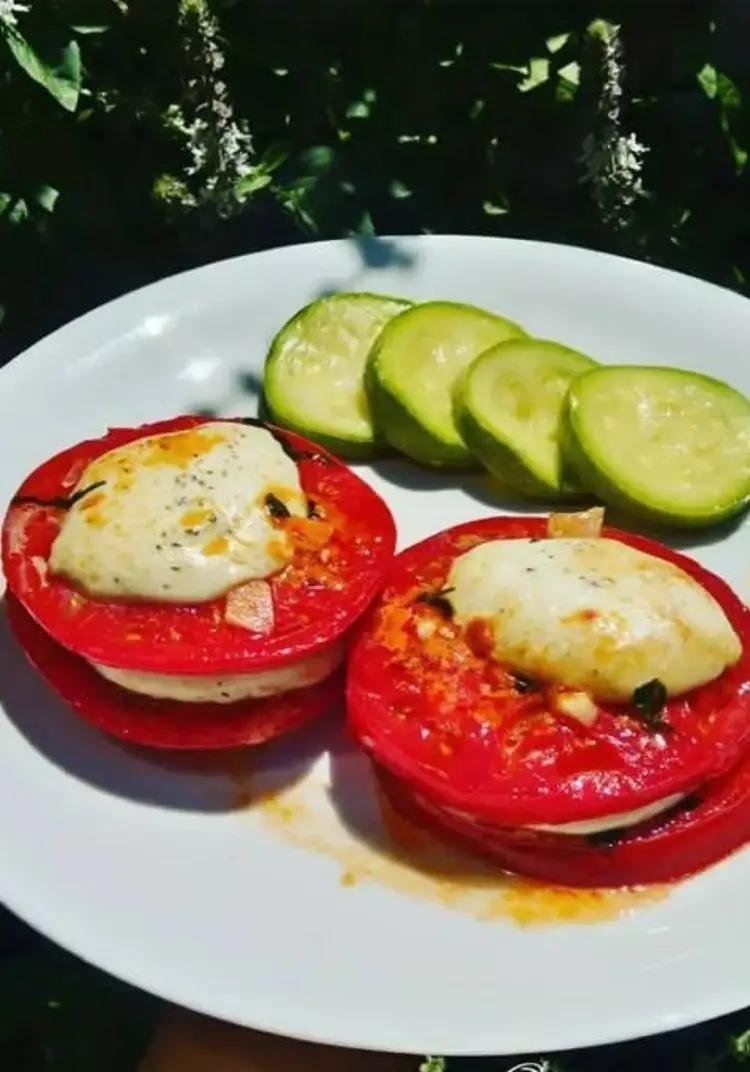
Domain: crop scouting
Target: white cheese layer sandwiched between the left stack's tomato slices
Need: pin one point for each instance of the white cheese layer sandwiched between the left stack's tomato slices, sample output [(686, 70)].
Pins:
[(229, 689)]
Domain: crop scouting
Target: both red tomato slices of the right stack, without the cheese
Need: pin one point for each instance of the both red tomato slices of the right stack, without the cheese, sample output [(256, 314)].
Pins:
[(464, 747)]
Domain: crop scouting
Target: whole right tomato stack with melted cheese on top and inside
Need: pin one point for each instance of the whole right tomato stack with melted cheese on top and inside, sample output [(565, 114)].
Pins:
[(571, 702)]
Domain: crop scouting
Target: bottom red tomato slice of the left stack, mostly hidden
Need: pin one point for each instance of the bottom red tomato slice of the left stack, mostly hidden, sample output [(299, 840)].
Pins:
[(166, 724)]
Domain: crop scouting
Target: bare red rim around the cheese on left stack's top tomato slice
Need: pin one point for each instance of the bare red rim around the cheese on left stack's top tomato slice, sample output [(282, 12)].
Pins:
[(208, 647)]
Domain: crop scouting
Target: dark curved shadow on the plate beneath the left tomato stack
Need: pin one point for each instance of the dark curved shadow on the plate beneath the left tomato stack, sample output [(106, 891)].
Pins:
[(212, 782)]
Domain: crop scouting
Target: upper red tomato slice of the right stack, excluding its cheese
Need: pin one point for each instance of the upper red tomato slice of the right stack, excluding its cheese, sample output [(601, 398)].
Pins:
[(462, 731)]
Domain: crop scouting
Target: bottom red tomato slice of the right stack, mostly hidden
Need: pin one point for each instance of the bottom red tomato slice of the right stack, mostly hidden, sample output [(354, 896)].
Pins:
[(670, 847)]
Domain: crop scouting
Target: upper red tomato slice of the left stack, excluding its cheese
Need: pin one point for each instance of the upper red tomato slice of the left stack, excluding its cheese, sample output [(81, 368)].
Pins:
[(314, 602)]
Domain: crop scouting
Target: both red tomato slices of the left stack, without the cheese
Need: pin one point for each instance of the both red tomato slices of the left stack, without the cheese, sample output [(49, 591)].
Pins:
[(317, 599)]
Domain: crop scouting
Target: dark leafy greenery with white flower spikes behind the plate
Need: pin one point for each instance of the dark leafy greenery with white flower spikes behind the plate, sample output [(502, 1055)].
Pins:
[(141, 138)]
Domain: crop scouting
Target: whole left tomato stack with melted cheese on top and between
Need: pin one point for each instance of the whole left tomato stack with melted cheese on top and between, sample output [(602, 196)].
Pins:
[(191, 584)]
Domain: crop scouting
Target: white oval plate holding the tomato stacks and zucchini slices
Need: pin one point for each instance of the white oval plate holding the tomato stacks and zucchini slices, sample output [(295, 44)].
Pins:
[(154, 870)]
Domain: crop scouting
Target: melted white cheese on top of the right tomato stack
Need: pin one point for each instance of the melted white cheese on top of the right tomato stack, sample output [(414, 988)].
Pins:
[(595, 615)]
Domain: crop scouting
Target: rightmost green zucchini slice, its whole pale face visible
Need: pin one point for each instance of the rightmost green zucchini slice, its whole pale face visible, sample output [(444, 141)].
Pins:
[(667, 445)]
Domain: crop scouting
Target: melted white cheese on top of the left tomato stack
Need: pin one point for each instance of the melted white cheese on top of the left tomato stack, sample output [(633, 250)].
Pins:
[(182, 517)]
